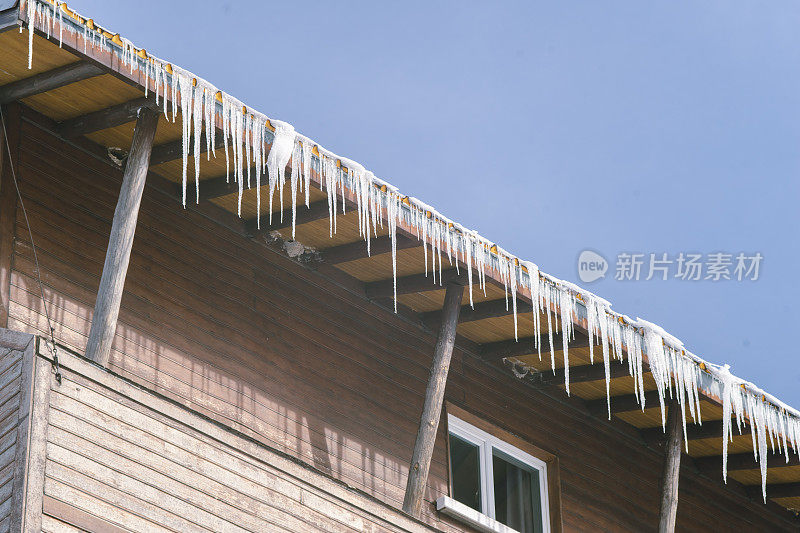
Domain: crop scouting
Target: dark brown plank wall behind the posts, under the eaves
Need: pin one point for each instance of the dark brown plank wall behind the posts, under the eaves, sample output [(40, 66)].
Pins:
[(266, 347)]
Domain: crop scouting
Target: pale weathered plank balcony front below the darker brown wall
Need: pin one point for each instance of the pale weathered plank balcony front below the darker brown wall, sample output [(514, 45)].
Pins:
[(120, 458)]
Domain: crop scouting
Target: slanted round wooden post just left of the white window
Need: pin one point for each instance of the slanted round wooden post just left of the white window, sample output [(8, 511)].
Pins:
[(434, 396)]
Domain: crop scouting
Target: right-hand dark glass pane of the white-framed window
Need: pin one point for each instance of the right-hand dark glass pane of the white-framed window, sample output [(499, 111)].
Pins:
[(517, 501)]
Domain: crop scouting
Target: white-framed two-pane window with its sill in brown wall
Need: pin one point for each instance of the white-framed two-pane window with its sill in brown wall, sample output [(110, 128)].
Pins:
[(494, 485)]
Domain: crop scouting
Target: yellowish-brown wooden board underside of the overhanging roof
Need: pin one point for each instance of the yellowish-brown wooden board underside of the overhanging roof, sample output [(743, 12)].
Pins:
[(89, 107)]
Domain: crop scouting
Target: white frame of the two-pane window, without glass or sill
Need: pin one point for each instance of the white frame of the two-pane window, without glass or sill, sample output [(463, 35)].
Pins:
[(487, 442)]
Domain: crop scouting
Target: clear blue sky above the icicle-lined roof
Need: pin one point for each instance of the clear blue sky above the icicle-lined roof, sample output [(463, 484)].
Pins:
[(549, 127)]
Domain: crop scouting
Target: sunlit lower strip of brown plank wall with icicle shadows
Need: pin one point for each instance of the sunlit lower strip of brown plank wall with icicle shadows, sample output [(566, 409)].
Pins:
[(246, 398)]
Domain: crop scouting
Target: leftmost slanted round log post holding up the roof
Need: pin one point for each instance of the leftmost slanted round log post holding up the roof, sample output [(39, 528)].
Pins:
[(109, 295)]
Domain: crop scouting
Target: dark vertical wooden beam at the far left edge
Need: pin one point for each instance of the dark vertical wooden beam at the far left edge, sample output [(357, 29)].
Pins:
[(8, 202)]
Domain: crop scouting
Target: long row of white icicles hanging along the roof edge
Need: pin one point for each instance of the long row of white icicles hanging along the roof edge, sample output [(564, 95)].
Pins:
[(258, 147)]
